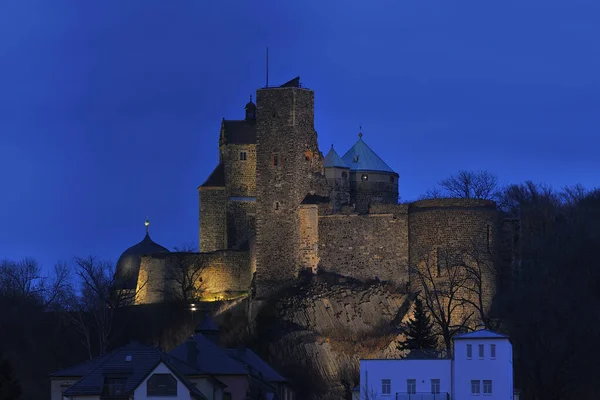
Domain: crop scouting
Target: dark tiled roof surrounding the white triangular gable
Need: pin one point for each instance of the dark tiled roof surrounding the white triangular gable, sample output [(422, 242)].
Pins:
[(143, 360)]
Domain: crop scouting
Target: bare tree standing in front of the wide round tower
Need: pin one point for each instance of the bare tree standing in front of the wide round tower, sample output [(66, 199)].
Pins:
[(440, 278)]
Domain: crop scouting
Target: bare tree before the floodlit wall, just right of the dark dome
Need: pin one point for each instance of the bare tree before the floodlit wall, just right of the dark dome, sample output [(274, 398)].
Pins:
[(184, 275)]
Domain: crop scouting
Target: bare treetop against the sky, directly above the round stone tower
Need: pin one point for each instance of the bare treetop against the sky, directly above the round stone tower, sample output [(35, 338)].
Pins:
[(471, 185)]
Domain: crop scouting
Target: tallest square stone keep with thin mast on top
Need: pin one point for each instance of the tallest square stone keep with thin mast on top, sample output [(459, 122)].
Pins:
[(289, 167)]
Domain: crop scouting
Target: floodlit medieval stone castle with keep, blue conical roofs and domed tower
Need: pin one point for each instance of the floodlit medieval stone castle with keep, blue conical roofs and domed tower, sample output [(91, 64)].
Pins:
[(274, 208)]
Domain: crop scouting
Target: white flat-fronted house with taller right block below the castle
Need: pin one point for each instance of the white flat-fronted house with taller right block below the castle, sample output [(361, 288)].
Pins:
[(481, 366)]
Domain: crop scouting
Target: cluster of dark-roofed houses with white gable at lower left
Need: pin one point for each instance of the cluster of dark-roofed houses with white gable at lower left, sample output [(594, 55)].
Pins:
[(198, 369)]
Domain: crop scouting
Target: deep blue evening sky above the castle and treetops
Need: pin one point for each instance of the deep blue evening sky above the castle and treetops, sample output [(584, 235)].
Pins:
[(110, 110)]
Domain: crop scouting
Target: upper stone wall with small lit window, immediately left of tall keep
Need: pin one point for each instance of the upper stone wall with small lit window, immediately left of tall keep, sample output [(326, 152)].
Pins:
[(240, 175)]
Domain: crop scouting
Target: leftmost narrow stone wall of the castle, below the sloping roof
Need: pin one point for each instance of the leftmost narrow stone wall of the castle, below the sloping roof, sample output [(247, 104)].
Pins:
[(213, 219)]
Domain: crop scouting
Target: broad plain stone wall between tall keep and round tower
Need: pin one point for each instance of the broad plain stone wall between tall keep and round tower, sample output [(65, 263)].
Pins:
[(368, 246)]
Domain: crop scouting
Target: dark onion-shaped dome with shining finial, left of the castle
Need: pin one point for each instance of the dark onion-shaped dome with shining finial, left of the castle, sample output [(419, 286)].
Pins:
[(128, 265)]
